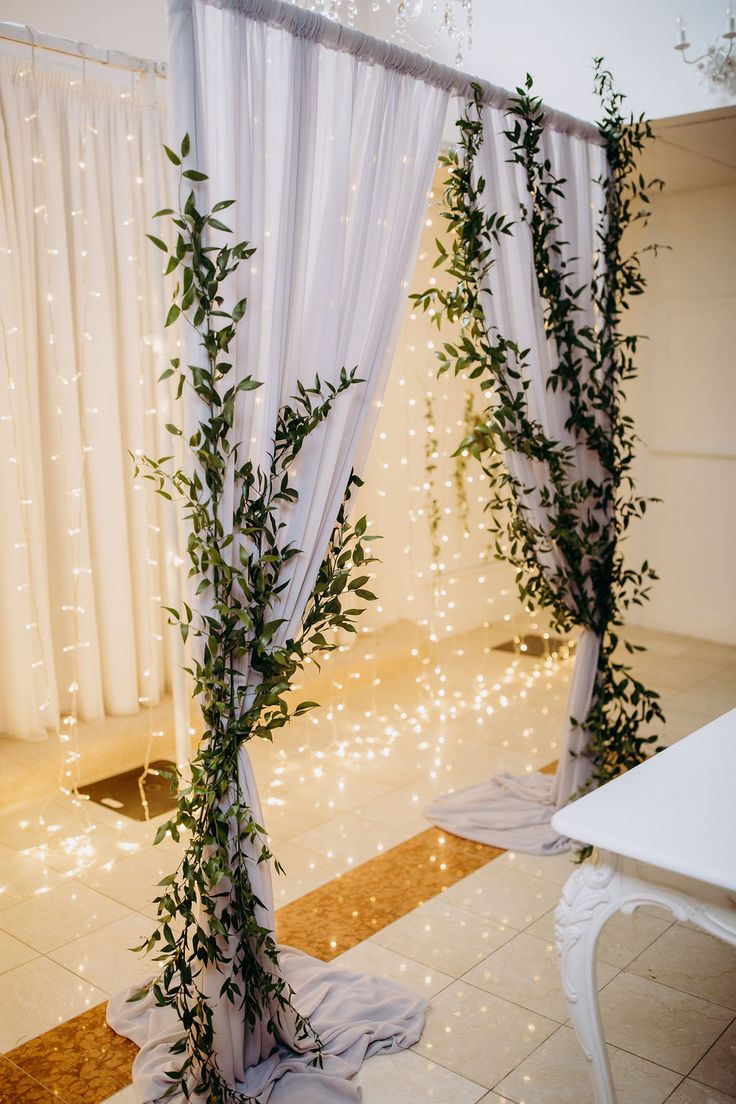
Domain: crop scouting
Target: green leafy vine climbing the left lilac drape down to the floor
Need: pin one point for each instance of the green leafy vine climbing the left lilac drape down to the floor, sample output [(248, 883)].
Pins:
[(209, 930)]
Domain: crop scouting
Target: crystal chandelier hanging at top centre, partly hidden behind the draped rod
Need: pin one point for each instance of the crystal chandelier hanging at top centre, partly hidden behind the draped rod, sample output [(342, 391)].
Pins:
[(443, 18)]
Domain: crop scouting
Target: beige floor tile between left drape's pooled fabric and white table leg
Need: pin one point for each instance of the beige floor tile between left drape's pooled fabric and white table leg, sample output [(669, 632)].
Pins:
[(481, 1036)]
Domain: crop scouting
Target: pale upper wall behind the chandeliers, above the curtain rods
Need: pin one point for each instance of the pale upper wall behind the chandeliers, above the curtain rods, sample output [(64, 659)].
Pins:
[(554, 41)]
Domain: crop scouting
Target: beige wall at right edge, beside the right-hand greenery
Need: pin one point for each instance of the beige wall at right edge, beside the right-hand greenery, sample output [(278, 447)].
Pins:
[(685, 405)]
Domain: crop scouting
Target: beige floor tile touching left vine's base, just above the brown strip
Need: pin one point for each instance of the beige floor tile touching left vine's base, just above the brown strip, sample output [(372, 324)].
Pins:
[(104, 958)]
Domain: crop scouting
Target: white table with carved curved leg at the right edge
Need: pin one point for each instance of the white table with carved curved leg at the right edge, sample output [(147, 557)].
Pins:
[(667, 836)]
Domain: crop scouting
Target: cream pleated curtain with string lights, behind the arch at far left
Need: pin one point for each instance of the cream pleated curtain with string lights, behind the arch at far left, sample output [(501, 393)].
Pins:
[(82, 557)]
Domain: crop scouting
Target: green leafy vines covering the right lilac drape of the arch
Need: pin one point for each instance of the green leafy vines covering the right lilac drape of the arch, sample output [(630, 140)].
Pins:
[(589, 523)]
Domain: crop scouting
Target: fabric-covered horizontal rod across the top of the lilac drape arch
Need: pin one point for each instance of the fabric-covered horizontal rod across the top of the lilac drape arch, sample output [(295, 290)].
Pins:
[(318, 28)]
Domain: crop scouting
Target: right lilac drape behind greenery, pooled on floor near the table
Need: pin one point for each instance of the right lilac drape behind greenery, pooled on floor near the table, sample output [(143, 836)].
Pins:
[(507, 811)]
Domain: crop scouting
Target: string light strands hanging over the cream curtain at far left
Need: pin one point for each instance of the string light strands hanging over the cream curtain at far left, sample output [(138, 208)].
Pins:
[(63, 362)]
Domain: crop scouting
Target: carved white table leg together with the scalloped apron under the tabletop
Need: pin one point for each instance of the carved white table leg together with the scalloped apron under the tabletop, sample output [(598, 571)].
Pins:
[(593, 894)]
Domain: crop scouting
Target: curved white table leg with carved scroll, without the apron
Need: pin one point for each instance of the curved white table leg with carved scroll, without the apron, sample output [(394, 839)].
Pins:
[(590, 897)]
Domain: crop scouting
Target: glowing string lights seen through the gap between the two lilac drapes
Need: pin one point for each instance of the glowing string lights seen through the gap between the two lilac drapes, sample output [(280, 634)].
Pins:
[(446, 686)]
